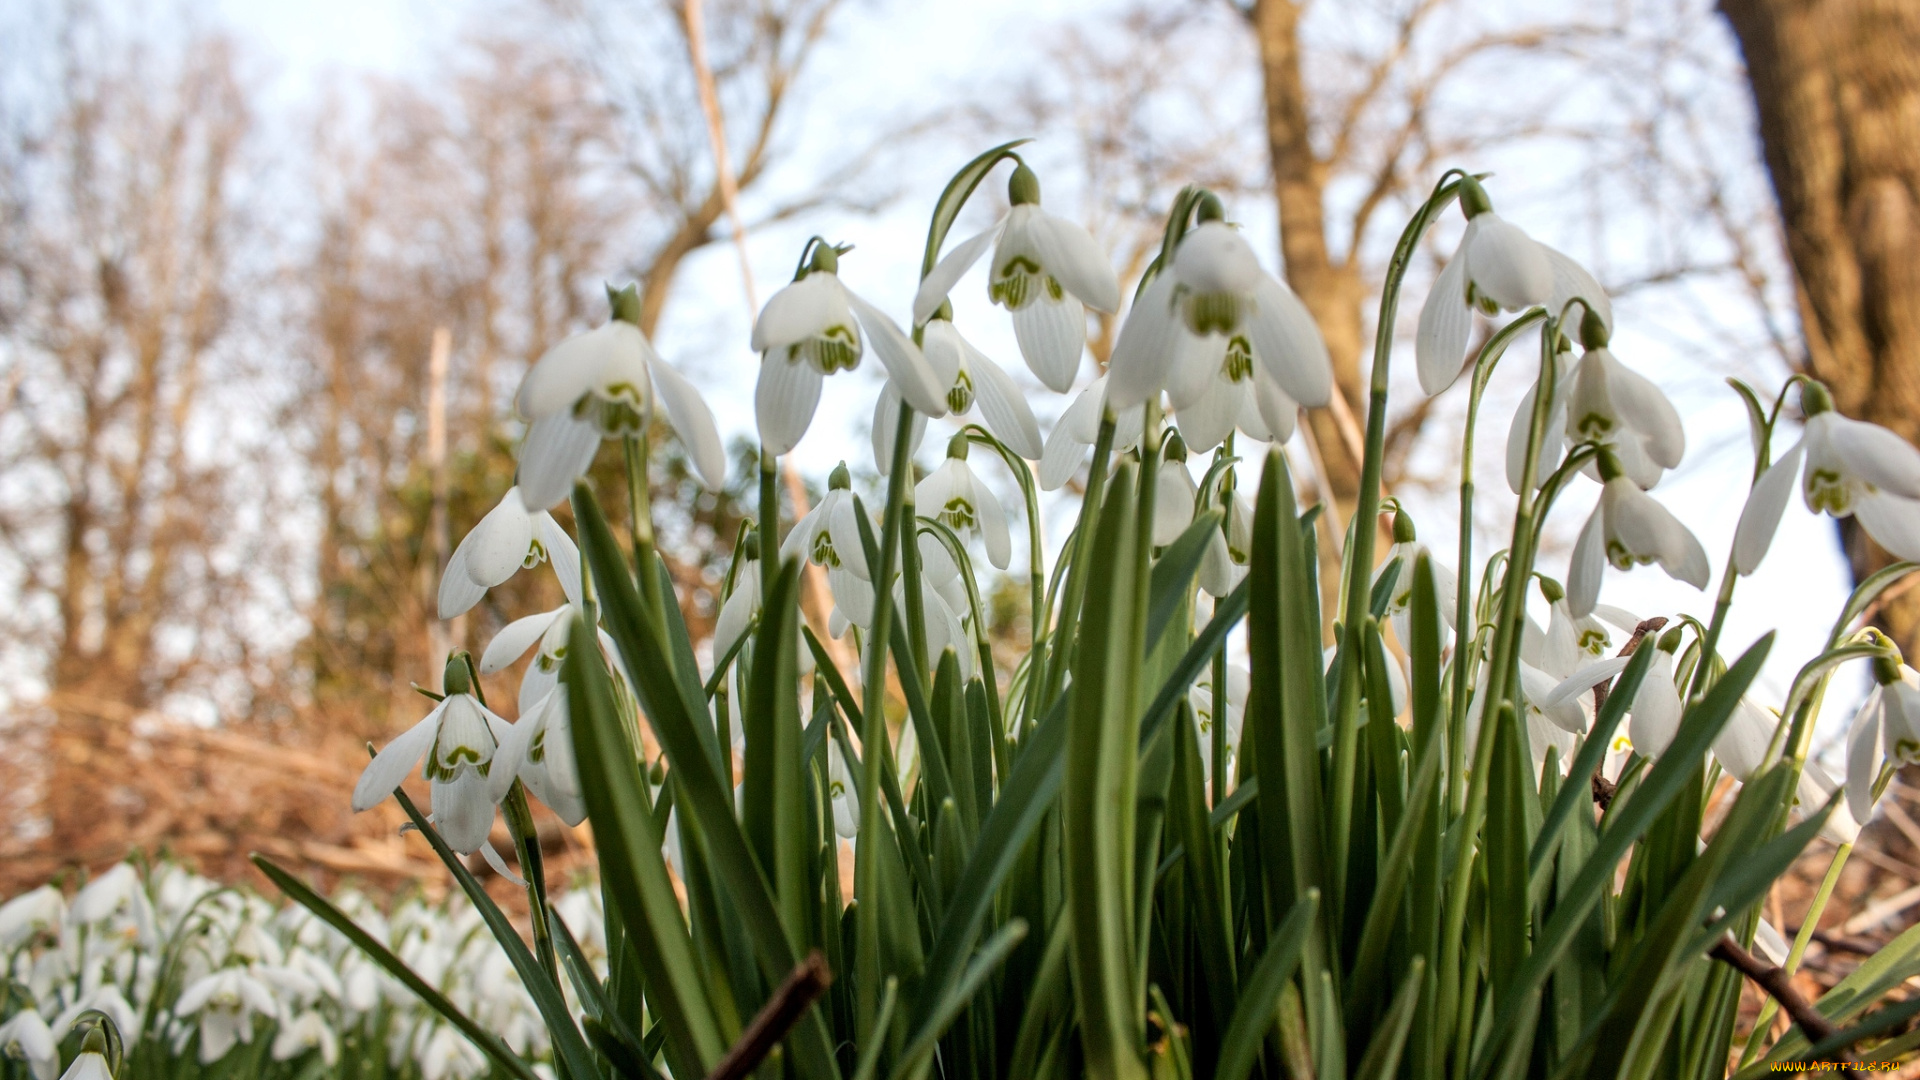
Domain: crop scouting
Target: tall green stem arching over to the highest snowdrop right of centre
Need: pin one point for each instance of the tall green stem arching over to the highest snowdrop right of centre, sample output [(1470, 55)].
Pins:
[(1366, 514)]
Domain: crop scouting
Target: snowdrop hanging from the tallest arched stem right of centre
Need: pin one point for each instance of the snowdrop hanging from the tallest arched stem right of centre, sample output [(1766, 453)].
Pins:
[(1497, 268)]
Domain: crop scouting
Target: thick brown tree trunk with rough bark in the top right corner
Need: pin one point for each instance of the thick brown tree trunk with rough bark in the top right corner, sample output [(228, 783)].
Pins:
[(1838, 93)]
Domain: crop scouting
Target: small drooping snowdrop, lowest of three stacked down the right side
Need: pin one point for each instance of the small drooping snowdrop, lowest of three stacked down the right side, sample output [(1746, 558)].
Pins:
[(1629, 529)]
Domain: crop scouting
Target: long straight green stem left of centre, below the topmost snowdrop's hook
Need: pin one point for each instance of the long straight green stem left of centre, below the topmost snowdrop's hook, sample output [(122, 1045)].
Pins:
[(875, 735)]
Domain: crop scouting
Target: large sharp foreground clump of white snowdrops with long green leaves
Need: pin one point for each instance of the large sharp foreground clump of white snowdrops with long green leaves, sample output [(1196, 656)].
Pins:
[(1182, 837)]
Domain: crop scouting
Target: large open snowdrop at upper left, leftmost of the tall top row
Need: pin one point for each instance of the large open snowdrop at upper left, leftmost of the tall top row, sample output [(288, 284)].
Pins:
[(604, 385)]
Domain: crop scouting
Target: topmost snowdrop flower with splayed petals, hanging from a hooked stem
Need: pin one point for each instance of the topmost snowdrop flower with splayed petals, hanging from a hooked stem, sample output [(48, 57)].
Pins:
[(1045, 272)]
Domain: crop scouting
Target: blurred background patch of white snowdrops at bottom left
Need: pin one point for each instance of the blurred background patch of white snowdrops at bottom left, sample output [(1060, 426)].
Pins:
[(156, 971)]
